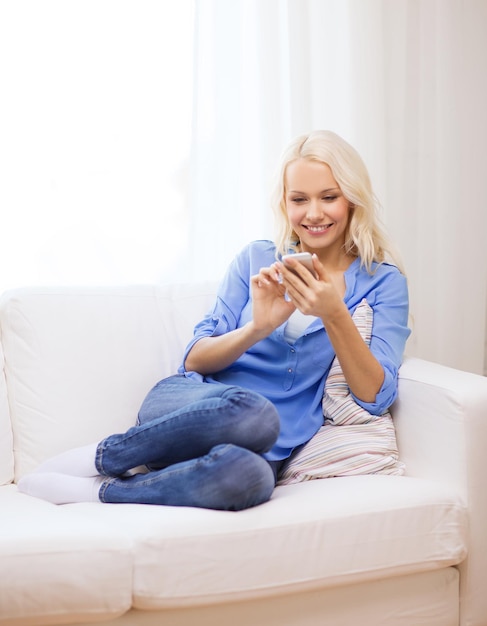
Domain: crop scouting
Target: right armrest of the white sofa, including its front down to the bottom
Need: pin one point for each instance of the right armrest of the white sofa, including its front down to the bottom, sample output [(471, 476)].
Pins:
[(441, 426)]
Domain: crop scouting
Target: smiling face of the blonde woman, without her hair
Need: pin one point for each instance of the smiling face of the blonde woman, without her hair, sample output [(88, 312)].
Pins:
[(316, 208)]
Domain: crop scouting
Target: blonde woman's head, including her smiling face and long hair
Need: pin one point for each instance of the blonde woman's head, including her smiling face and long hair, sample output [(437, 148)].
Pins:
[(324, 202)]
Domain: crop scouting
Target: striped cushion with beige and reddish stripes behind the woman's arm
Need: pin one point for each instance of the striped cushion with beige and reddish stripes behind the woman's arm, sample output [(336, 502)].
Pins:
[(352, 440)]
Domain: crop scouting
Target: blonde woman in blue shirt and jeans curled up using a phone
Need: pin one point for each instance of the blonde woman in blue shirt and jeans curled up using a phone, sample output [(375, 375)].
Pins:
[(248, 393)]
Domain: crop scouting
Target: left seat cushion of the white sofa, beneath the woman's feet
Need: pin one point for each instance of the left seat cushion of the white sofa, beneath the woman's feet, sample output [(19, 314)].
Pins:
[(56, 564)]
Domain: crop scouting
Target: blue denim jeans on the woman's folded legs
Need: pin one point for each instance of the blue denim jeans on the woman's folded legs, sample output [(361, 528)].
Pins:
[(202, 443)]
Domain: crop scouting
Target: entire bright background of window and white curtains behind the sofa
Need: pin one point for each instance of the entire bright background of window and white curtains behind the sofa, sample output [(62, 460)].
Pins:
[(95, 127)]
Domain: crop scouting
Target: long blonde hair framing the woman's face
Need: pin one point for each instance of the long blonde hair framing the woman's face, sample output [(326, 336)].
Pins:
[(365, 235)]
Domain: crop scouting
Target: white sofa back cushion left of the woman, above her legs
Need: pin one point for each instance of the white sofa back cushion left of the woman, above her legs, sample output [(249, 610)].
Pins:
[(79, 362)]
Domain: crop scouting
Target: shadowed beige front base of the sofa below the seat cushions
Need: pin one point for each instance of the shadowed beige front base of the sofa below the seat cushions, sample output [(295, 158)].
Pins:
[(385, 602)]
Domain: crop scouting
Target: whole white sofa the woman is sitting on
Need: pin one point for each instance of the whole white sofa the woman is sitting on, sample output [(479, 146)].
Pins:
[(384, 550)]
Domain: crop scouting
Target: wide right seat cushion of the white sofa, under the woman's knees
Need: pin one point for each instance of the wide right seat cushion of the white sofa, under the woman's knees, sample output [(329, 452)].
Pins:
[(327, 532)]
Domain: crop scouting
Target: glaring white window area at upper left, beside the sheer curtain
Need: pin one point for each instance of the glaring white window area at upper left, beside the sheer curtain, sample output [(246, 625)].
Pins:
[(94, 145)]
